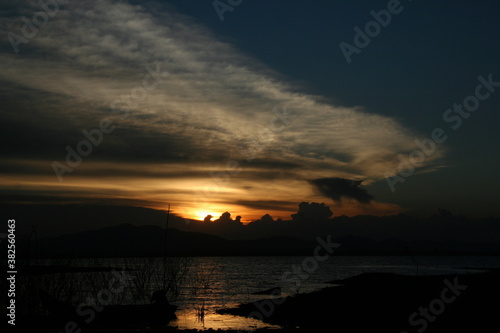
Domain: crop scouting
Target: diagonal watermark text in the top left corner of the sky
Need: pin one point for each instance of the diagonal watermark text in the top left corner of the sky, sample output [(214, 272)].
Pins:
[(30, 27)]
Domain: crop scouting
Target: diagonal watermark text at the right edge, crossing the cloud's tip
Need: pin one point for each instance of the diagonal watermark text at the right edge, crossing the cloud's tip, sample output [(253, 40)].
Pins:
[(453, 116)]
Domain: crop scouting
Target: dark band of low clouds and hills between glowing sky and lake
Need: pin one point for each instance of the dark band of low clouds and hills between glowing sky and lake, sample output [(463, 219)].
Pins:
[(132, 231)]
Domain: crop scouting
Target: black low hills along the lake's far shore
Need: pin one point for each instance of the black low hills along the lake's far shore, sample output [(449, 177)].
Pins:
[(127, 240)]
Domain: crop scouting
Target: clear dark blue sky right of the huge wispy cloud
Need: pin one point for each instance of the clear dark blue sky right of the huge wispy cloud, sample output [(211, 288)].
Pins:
[(424, 61)]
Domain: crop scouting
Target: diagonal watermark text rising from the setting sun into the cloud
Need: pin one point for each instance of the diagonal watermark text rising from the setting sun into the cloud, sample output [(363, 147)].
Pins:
[(221, 178)]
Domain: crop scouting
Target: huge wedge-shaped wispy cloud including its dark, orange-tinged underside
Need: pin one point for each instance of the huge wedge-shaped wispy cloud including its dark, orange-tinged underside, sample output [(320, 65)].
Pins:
[(208, 110)]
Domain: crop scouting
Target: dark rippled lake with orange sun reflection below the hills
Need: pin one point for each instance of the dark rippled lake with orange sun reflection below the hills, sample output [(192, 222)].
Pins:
[(212, 283)]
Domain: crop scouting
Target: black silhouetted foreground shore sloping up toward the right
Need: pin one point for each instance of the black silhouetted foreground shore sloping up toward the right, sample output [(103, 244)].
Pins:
[(385, 302)]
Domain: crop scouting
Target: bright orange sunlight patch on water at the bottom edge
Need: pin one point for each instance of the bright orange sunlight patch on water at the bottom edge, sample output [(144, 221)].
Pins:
[(188, 319)]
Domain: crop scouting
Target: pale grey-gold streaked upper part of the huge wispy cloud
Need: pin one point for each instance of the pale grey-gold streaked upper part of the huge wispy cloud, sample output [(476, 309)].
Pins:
[(100, 52)]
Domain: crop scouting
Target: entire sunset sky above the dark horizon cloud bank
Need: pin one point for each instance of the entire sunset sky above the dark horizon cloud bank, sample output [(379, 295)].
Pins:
[(371, 107)]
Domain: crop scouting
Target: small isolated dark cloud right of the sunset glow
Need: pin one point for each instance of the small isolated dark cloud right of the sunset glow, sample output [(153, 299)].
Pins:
[(338, 188)]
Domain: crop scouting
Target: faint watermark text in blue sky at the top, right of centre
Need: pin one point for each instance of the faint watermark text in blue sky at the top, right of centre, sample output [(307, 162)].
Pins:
[(371, 30)]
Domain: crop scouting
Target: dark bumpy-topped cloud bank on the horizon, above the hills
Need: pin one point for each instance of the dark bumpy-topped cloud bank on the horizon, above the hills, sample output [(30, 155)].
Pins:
[(311, 220)]
